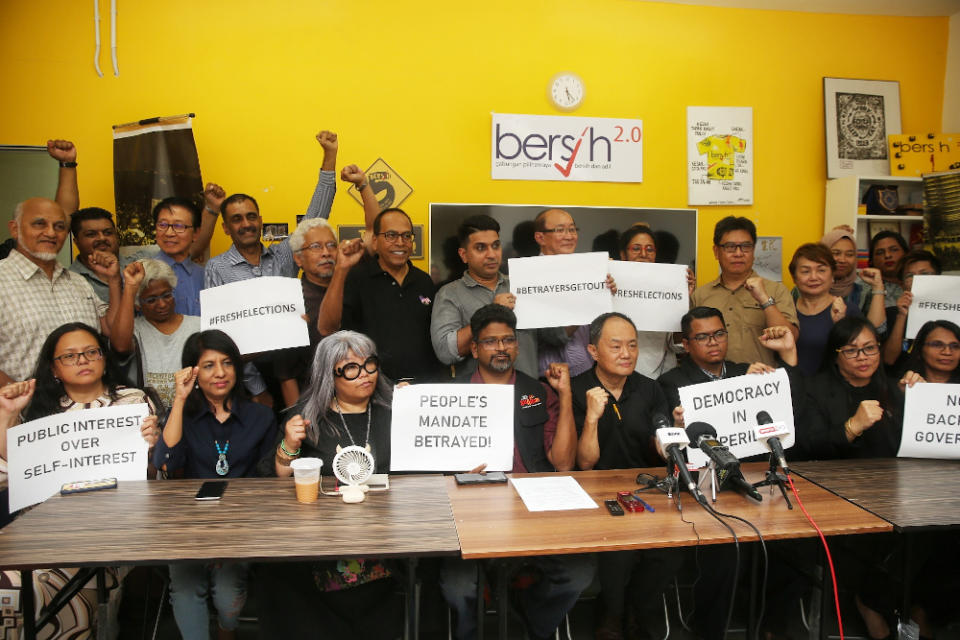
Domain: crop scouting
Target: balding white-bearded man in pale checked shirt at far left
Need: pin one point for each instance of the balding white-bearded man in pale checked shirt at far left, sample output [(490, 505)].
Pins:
[(39, 294)]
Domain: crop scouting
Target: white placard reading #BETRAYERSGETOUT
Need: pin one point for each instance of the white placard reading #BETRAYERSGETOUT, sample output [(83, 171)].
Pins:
[(560, 291)]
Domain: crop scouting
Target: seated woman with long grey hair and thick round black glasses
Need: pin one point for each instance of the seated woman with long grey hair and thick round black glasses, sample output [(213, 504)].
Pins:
[(347, 403)]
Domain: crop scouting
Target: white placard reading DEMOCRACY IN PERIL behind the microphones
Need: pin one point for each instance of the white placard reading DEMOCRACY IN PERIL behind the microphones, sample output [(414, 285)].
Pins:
[(731, 406)]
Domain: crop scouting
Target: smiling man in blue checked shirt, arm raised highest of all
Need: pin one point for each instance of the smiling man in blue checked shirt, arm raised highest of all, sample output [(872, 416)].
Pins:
[(247, 257)]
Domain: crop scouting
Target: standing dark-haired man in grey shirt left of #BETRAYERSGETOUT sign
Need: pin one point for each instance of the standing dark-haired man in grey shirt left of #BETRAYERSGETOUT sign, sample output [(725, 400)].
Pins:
[(481, 284)]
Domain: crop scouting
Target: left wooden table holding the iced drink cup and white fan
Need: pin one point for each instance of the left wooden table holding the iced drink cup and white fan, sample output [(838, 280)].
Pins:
[(160, 522)]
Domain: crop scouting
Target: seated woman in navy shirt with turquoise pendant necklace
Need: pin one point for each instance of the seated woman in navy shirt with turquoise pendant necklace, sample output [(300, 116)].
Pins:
[(213, 431)]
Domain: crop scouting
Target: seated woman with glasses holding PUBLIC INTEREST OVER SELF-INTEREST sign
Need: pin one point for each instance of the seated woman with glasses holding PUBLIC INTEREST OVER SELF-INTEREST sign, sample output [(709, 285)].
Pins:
[(74, 371)]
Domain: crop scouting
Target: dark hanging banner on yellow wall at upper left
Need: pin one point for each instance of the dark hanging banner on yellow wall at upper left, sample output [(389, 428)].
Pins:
[(153, 159)]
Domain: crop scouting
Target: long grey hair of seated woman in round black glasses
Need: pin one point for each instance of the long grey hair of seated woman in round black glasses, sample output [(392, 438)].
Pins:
[(321, 391)]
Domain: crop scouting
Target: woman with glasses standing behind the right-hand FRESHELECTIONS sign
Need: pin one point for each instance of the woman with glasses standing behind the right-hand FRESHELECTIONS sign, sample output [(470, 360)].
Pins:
[(656, 351)]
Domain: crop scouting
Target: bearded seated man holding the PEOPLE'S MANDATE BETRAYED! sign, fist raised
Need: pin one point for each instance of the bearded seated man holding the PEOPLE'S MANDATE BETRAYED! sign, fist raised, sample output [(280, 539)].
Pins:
[(545, 439)]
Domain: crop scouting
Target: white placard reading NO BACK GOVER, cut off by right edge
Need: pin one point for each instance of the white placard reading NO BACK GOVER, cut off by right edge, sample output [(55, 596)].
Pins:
[(931, 421)]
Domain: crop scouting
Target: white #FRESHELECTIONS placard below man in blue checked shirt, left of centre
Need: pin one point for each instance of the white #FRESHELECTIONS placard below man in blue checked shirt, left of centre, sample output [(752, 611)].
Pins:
[(260, 314)]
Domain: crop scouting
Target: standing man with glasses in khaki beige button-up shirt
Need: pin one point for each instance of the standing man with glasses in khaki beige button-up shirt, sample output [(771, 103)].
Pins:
[(748, 302)]
